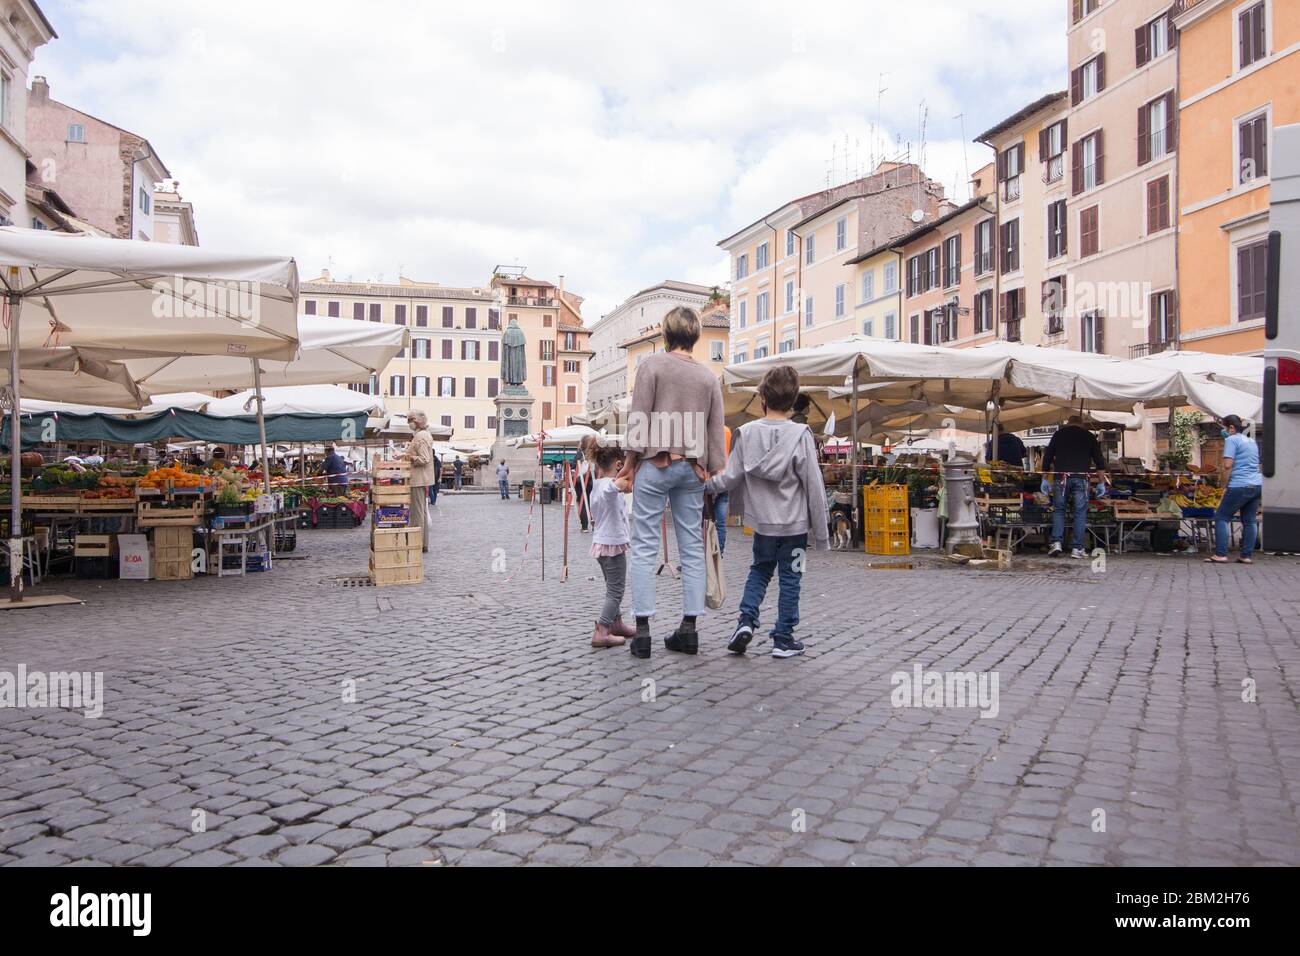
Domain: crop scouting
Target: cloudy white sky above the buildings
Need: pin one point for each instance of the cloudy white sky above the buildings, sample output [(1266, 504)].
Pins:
[(612, 142)]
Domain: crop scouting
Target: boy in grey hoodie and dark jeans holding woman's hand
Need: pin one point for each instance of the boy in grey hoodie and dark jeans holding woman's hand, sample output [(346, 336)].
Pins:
[(775, 460)]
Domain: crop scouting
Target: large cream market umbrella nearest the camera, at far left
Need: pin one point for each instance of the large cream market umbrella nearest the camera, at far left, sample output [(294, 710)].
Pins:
[(136, 299)]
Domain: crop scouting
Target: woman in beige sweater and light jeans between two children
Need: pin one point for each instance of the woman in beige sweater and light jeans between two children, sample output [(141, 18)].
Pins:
[(675, 443)]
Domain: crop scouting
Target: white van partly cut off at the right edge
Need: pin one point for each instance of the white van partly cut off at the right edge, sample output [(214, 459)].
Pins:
[(1280, 445)]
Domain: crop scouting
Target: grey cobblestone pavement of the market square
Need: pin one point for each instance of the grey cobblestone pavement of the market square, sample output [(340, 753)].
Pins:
[(486, 730)]
